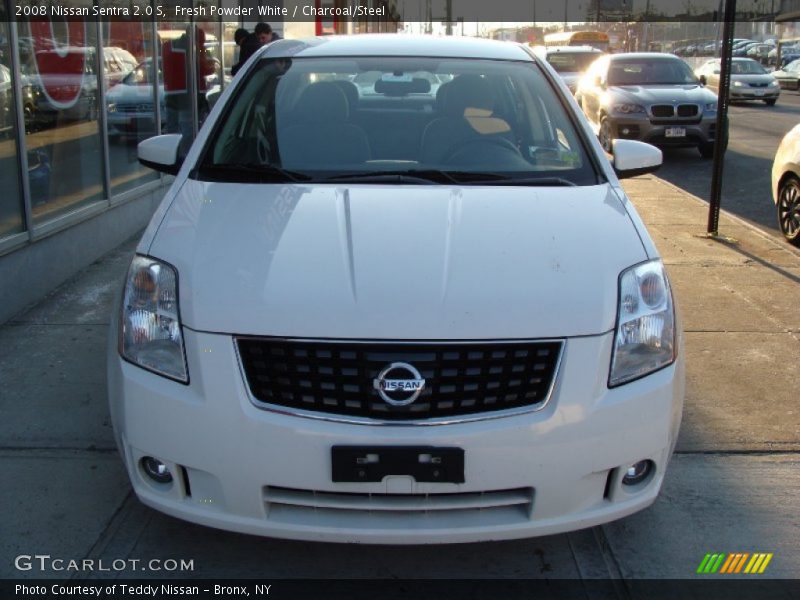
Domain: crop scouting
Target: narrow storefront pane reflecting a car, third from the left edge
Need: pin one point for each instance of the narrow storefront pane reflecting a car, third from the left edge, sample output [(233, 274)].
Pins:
[(130, 99)]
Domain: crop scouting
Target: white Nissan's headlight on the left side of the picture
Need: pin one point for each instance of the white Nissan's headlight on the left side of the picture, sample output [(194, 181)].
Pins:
[(150, 329)]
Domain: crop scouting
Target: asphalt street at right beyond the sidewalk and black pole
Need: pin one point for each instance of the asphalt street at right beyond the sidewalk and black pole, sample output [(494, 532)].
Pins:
[(756, 131)]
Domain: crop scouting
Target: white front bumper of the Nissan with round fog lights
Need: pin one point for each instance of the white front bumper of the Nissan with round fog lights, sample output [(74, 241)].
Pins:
[(246, 469)]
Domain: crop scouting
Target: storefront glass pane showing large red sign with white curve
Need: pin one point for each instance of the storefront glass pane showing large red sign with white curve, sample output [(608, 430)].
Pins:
[(59, 63)]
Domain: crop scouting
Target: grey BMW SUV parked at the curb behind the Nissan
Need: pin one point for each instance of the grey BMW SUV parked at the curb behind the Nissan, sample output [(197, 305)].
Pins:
[(651, 97)]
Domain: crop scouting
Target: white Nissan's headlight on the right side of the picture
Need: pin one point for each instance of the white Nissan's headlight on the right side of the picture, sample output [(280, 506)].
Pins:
[(644, 340)]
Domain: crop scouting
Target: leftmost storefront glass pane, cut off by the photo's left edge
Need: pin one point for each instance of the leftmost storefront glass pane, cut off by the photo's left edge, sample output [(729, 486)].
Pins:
[(11, 213)]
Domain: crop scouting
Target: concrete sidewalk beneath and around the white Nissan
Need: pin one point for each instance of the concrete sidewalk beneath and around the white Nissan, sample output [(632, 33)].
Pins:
[(733, 485)]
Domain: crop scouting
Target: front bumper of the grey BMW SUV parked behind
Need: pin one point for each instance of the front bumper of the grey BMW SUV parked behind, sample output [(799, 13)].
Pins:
[(642, 128)]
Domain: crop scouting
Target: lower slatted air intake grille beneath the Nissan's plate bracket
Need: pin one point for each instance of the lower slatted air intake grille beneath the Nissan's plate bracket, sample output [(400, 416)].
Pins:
[(398, 511)]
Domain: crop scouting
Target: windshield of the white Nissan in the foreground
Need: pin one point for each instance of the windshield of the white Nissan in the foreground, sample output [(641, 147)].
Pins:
[(396, 120)]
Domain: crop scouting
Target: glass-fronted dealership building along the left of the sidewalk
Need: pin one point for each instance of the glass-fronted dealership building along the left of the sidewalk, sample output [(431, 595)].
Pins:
[(76, 97)]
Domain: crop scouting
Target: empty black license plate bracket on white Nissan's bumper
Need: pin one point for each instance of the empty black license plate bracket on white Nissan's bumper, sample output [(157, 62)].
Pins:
[(373, 463)]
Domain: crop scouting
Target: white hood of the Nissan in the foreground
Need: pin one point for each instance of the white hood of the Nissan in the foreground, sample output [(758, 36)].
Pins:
[(398, 262)]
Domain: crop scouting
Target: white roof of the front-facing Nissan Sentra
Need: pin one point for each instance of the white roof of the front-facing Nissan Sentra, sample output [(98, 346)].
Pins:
[(396, 45)]
